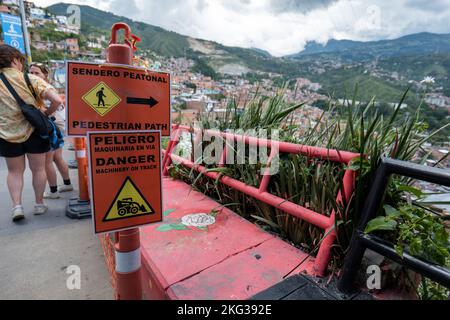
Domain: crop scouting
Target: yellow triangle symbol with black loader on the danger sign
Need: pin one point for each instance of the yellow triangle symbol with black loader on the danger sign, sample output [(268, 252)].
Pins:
[(128, 203)]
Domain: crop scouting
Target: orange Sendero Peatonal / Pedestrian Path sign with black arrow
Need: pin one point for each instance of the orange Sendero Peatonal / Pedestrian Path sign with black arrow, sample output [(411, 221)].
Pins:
[(116, 98)]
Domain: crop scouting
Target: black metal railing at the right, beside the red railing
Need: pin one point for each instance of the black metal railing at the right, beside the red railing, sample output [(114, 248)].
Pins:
[(361, 241)]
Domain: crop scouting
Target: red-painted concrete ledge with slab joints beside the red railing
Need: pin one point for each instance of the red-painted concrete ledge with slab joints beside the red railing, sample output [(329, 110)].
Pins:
[(230, 259)]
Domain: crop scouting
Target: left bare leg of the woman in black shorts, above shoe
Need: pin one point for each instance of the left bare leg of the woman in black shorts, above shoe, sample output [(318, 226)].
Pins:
[(16, 168)]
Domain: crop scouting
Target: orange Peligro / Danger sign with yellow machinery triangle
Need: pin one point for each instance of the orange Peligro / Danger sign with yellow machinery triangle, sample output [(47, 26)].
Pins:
[(125, 171)]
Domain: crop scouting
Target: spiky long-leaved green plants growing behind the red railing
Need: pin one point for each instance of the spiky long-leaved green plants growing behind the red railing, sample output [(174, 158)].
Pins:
[(314, 184)]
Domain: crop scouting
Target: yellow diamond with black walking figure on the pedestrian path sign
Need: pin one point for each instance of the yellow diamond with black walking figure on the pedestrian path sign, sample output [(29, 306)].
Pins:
[(102, 98)]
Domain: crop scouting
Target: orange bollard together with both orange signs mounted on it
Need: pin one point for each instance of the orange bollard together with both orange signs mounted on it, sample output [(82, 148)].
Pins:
[(124, 111)]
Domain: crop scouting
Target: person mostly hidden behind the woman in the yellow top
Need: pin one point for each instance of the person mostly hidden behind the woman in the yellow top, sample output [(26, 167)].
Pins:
[(54, 156)]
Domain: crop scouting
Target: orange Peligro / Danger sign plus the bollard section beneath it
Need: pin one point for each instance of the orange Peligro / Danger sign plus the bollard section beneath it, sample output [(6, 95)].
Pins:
[(126, 193)]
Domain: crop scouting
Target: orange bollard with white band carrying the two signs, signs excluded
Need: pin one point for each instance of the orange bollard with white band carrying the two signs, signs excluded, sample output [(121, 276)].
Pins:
[(127, 248)]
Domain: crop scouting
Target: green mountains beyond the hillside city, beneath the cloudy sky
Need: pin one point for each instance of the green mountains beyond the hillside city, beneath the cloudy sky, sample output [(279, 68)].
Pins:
[(383, 68)]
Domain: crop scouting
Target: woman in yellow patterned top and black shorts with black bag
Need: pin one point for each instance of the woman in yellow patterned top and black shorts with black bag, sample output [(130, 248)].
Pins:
[(24, 128)]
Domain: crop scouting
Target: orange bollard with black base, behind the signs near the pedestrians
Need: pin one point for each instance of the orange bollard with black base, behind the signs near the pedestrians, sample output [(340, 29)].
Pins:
[(79, 208)]
